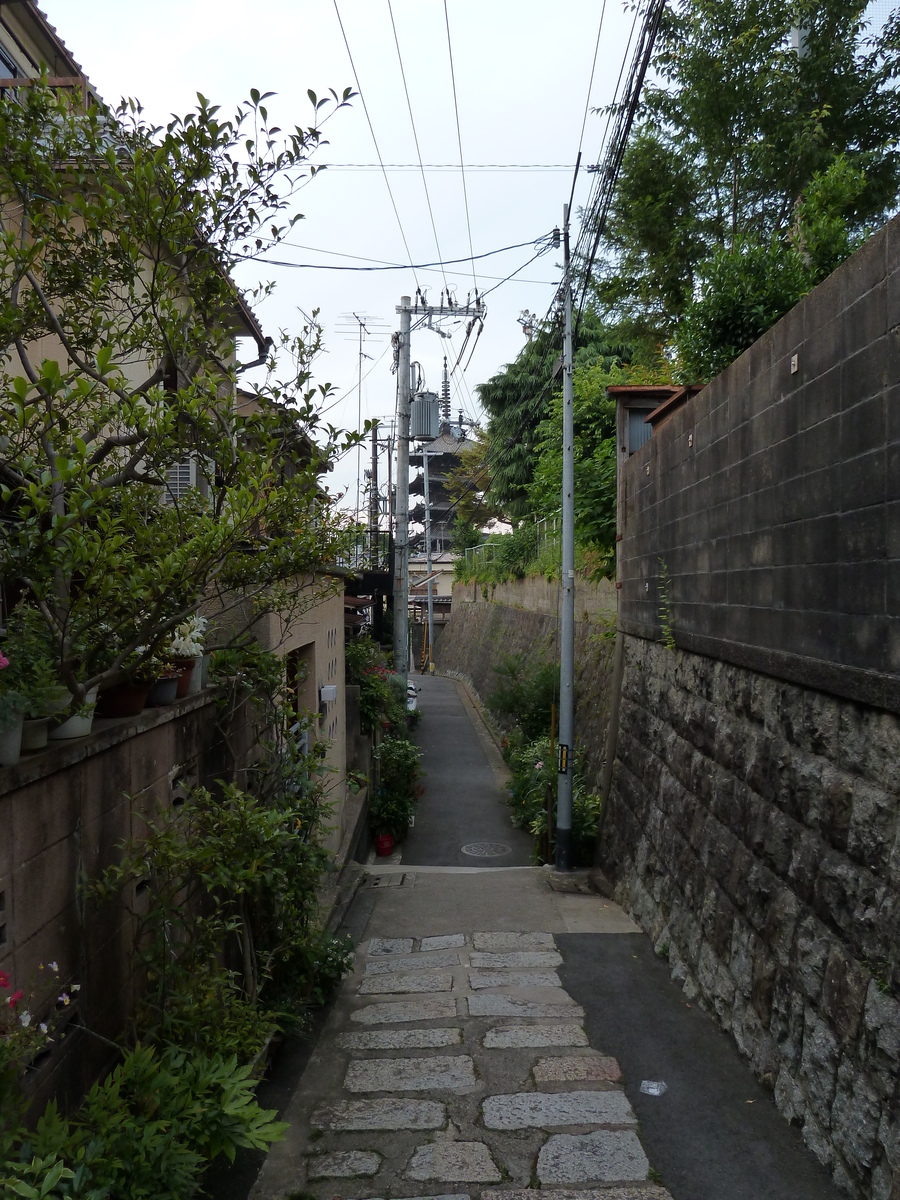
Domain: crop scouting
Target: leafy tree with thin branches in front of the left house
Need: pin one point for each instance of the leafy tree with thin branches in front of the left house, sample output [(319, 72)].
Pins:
[(117, 332)]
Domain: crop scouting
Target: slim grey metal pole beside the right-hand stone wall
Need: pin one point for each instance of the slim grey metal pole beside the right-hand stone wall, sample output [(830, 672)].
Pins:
[(567, 631)]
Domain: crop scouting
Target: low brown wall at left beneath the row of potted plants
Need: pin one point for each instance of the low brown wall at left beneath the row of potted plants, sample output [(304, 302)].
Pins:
[(63, 814)]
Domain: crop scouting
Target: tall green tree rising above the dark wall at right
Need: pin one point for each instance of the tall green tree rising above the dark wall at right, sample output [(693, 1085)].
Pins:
[(733, 133)]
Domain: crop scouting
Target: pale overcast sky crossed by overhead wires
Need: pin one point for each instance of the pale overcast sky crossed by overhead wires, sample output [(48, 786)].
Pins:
[(524, 82)]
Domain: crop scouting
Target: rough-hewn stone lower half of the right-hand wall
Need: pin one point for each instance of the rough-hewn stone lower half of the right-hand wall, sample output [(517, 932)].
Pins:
[(754, 831)]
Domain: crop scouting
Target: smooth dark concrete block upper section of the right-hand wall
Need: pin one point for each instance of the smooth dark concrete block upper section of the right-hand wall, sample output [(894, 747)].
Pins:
[(773, 497)]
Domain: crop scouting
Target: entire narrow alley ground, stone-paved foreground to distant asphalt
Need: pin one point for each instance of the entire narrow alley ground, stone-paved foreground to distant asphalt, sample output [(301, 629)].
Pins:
[(507, 1031)]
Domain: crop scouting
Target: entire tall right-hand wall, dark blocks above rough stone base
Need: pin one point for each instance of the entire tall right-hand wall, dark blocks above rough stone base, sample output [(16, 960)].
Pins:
[(754, 820)]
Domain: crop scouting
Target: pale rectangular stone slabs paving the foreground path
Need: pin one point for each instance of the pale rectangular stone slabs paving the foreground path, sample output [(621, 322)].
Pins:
[(458, 1067)]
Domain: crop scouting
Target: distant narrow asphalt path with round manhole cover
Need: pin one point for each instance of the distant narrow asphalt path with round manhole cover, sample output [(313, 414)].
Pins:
[(463, 819)]
